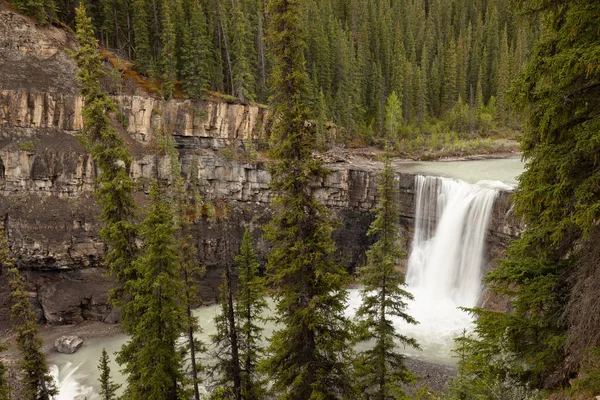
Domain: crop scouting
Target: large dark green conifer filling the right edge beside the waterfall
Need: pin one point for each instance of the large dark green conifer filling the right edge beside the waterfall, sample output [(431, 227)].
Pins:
[(558, 196)]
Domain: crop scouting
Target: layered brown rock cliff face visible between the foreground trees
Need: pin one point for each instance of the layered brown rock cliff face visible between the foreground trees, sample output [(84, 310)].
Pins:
[(47, 178)]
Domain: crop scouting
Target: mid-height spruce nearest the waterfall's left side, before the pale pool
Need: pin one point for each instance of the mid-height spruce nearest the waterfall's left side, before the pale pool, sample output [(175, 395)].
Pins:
[(381, 370)]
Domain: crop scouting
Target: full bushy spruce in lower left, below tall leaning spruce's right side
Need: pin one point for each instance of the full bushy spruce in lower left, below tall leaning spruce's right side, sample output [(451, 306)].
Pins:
[(153, 362)]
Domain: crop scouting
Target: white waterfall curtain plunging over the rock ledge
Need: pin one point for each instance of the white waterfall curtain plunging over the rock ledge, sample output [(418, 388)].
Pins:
[(451, 222)]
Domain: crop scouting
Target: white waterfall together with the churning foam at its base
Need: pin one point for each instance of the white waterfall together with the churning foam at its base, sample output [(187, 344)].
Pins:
[(445, 261)]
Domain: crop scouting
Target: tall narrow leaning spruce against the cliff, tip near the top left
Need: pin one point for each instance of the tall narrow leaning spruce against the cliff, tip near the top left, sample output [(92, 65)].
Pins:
[(114, 185)]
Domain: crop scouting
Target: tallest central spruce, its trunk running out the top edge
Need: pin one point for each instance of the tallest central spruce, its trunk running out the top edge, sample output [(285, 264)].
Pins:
[(307, 355)]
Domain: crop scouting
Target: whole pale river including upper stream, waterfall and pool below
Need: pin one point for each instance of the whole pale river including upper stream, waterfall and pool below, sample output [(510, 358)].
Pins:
[(444, 268)]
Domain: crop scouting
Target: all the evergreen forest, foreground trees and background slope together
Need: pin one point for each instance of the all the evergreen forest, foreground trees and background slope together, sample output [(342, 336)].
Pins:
[(405, 75)]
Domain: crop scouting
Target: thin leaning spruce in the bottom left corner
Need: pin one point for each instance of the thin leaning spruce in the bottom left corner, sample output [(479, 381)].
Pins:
[(37, 381)]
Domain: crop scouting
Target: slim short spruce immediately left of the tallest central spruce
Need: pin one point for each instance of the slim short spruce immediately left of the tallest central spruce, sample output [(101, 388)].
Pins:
[(249, 308)]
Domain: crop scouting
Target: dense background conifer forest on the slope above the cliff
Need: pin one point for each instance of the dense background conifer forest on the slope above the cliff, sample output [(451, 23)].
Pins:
[(449, 62)]
